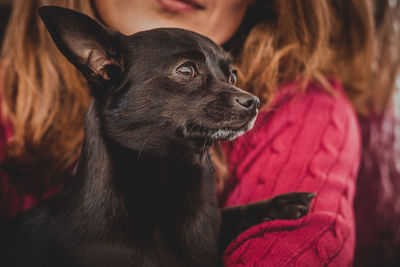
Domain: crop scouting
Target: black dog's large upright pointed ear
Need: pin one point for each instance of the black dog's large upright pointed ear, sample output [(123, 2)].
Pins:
[(91, 47)]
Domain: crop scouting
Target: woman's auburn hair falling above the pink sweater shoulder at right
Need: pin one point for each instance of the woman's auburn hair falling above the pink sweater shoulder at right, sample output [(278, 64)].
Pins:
[(314, 40)]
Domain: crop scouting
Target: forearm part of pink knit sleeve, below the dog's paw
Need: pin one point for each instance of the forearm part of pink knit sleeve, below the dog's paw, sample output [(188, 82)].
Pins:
[(315, 240)]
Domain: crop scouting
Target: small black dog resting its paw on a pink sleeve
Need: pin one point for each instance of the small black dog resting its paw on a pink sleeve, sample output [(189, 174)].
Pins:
[(144, 194)]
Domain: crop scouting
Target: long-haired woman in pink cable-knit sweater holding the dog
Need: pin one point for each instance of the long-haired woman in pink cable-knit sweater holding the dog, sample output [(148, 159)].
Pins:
[(294, 54)]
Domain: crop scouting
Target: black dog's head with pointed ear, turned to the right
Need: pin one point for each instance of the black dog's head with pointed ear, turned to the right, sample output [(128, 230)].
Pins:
[(167, 83)]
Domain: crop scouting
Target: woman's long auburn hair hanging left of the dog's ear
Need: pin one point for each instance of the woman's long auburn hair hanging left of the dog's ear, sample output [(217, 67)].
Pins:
[(44, 96)]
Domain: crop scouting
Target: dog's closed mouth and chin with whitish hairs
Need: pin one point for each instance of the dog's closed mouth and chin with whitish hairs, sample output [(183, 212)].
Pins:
[(198, 131)]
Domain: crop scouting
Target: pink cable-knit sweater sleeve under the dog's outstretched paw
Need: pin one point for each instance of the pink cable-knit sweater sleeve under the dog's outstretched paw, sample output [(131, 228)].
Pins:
[(310, 144)]
